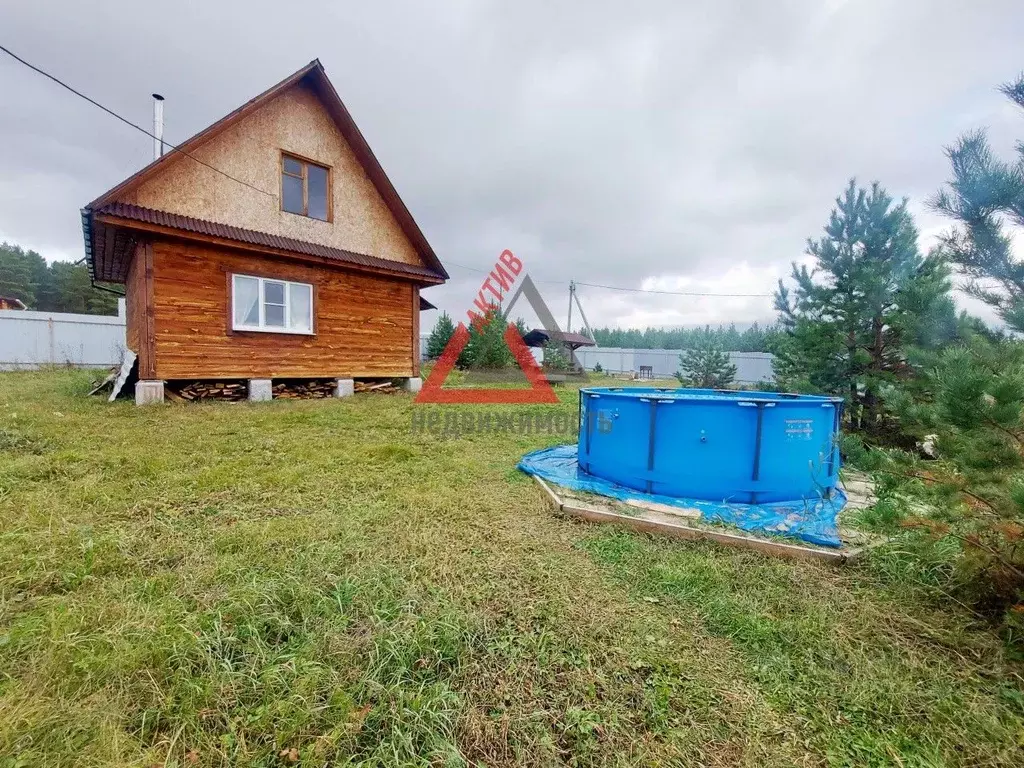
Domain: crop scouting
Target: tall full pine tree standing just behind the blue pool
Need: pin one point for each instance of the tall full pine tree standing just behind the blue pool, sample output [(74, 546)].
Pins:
[(851, 320)]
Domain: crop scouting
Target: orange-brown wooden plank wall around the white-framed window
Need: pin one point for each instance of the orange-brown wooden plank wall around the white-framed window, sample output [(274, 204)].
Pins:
[(364, 325)]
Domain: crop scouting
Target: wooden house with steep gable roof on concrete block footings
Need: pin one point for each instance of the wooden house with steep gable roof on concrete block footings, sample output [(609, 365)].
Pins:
[(272, 246)]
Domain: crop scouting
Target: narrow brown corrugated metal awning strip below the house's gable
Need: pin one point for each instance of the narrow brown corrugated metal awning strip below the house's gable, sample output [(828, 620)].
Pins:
[(125, 214)]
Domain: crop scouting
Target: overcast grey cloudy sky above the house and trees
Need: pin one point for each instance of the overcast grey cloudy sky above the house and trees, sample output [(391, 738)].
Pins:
[(662, 146)]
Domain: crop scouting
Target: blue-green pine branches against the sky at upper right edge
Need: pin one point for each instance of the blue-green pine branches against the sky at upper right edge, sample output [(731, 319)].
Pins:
[(984, 196)]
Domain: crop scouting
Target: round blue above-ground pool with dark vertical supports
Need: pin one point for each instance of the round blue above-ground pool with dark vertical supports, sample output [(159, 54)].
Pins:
[(745, 448)]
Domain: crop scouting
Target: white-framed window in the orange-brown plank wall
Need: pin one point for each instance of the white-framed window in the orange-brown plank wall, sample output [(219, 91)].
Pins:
[(272, 306)]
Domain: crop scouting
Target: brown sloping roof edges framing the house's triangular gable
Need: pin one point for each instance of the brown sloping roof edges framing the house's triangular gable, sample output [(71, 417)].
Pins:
[(316, 77)]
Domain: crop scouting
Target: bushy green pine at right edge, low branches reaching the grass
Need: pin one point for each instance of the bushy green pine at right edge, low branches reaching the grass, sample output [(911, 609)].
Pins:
[(974, 415)]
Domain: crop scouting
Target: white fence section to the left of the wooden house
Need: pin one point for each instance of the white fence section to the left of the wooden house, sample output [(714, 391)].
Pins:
[(30, 340)]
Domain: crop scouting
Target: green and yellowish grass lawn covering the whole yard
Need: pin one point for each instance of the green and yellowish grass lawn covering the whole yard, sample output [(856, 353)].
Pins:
[(309, 583)]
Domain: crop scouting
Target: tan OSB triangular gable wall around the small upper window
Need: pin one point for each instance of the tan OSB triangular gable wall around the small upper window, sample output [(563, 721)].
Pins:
[(295, 122)]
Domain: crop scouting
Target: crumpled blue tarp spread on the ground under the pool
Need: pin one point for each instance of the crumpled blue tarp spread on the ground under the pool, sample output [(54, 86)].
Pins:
[(810, 520)]
